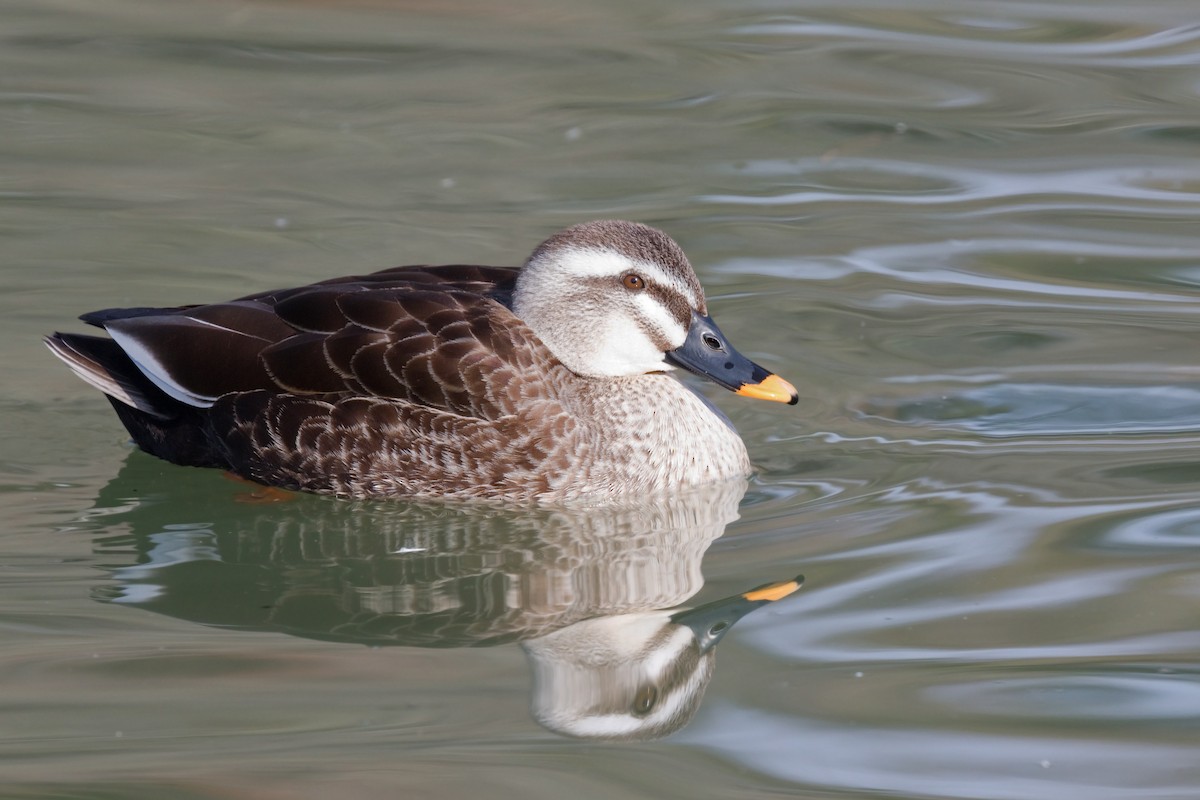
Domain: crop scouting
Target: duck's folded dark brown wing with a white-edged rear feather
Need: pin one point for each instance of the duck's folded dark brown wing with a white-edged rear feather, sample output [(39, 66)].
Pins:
[(441, 338)]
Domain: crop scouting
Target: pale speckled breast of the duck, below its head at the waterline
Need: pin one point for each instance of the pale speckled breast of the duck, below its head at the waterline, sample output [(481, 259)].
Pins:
[(652, 434)]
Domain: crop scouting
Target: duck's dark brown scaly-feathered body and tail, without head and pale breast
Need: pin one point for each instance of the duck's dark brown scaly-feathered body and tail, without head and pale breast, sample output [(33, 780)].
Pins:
[(299, 387)]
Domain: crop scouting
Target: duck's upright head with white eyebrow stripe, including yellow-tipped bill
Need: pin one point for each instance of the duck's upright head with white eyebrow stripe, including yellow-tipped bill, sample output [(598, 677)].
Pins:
[(617, 298)]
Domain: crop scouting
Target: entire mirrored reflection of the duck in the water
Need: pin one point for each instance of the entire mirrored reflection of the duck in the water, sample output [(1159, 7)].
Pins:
[(591, 596)]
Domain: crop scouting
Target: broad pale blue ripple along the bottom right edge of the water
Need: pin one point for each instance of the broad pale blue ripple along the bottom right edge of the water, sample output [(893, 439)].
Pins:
[(947, 762)]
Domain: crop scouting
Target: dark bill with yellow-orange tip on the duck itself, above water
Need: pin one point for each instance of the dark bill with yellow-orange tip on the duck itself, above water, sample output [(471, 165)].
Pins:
[(707, 353)]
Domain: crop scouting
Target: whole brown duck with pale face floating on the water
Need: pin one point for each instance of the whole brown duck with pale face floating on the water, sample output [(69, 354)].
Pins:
[(549, 383)]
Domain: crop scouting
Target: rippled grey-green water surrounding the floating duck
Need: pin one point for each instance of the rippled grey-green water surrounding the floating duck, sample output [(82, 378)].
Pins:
[(965, 231)]
